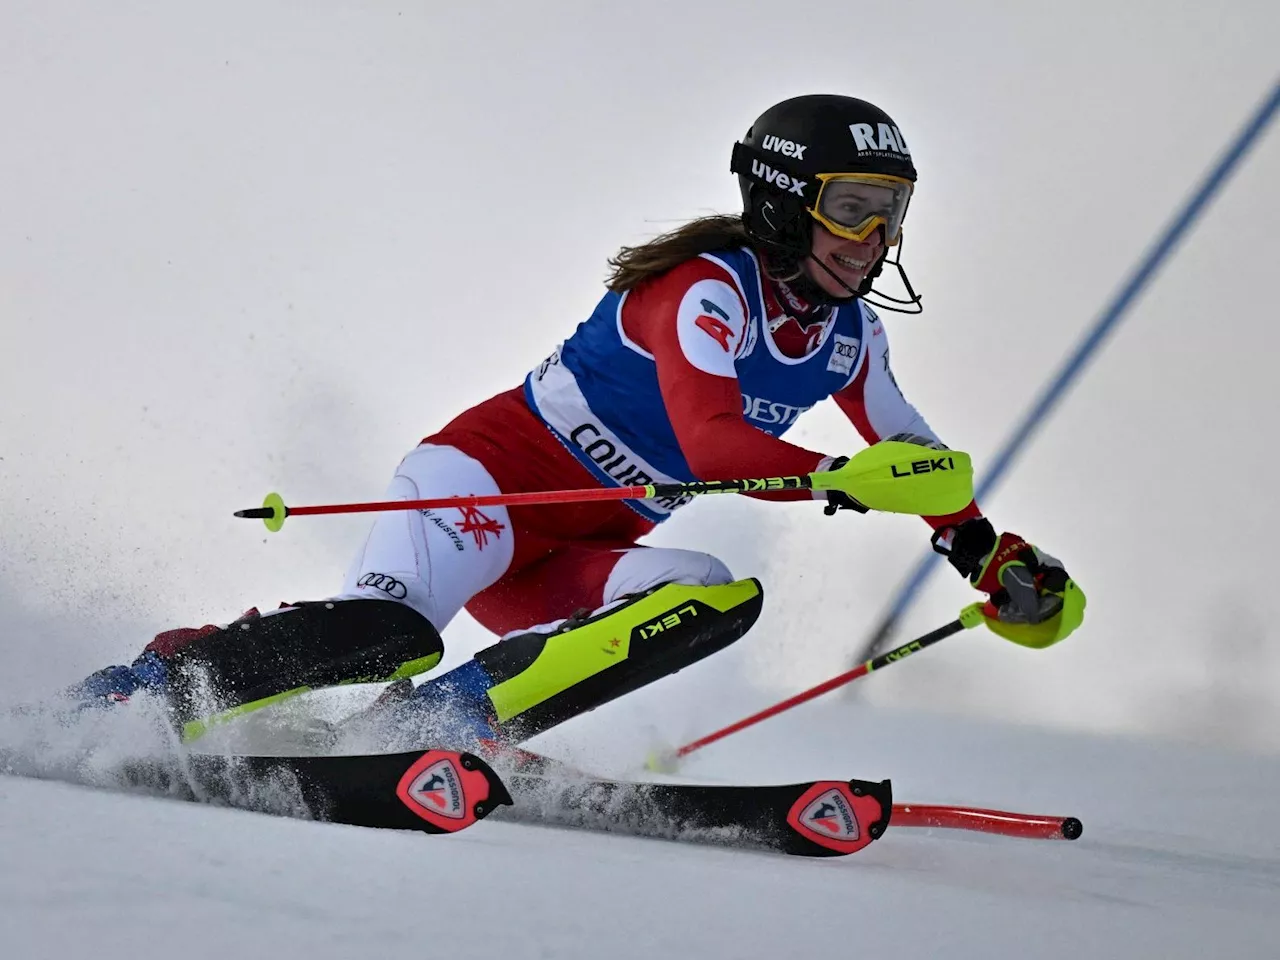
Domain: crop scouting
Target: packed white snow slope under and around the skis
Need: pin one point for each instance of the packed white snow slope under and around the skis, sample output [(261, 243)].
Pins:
[(1181, 856)]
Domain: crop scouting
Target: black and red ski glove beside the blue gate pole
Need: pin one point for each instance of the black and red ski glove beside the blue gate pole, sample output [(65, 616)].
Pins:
[(1026, 586)]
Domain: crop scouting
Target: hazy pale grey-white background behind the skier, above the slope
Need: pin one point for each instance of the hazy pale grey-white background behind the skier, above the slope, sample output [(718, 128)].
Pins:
[(269, 246)]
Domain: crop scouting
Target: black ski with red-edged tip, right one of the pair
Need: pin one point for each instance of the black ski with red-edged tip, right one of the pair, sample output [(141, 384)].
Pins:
[(816, 819)]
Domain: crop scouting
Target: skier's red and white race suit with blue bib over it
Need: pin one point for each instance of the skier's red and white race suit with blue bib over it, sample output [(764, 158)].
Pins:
[(694, 374)]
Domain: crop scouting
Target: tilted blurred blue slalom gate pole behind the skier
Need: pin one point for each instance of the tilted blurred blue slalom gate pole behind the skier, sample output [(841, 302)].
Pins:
[(1085, 351)]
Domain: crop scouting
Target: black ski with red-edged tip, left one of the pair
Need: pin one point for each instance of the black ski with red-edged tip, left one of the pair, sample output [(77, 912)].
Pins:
[(436, 792)]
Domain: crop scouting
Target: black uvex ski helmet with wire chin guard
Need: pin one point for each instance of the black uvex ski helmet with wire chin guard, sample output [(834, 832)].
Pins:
[(780, 159)]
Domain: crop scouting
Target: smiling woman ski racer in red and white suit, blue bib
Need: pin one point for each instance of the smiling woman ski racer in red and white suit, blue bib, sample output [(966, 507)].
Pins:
[(707, 348)]
